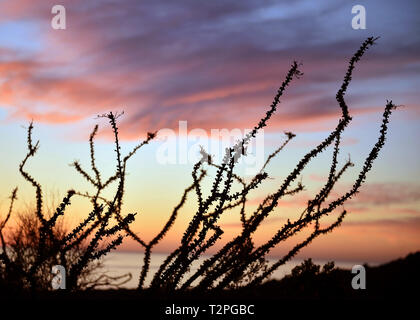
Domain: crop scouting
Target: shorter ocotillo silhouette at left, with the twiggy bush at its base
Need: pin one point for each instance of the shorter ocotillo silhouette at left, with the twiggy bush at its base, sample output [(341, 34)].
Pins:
[(27, 261)]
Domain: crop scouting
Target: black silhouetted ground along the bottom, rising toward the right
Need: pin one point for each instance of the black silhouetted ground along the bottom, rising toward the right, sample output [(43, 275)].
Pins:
[(307, 288)]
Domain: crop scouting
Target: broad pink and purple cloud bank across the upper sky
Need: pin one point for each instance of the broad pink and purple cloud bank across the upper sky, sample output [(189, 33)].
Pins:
[(161, 70)]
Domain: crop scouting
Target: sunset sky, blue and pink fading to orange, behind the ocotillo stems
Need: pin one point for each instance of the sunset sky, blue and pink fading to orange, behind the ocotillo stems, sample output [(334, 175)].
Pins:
[(216, 64)]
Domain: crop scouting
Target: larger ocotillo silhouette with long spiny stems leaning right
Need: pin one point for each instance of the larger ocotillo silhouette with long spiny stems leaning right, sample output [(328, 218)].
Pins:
[(240, 261)]
